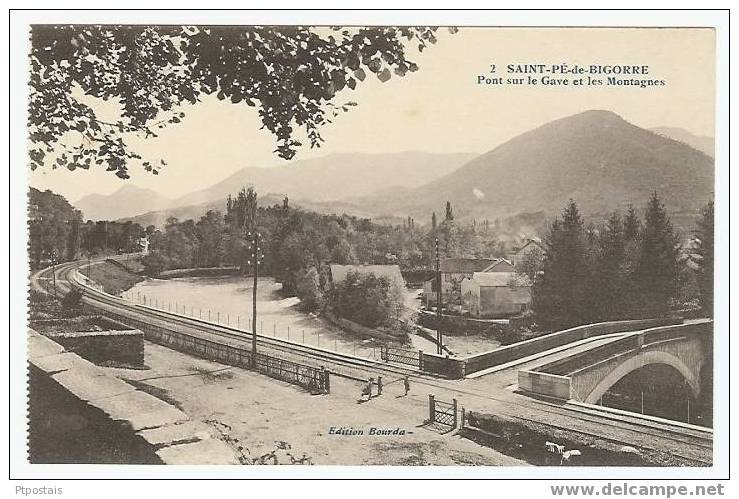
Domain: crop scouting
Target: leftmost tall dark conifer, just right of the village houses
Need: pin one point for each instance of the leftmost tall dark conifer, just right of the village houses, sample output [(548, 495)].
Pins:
[(560, 294)]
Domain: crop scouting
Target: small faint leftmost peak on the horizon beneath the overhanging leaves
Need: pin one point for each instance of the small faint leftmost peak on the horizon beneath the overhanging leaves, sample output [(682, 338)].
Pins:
[(127, 201)]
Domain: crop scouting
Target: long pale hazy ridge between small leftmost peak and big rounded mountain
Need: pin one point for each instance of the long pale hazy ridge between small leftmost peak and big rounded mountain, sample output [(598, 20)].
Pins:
[(335, 177)]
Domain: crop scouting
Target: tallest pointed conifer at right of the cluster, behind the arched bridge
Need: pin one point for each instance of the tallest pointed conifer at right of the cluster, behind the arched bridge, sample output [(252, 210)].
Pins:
[(657, 265)]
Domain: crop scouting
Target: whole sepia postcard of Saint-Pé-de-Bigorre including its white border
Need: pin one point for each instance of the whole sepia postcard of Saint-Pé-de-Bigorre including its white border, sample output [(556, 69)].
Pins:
[(254, 239)]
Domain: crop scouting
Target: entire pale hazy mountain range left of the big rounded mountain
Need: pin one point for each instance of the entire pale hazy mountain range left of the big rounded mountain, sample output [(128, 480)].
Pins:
[(326, 179)]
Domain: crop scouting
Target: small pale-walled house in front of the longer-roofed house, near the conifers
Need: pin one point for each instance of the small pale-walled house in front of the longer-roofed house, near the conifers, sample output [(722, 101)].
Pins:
[(495, 294)]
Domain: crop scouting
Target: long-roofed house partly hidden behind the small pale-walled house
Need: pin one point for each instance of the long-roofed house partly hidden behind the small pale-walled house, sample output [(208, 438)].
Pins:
[(454, 271)]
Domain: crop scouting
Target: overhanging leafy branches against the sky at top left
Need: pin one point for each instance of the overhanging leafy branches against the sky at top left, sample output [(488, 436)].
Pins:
[(292, 75)]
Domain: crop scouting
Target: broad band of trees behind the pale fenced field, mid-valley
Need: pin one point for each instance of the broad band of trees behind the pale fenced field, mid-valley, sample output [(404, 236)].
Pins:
[(292, 241)]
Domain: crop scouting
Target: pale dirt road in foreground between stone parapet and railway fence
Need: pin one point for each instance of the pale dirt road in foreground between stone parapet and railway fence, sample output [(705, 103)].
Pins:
[(264, 418)]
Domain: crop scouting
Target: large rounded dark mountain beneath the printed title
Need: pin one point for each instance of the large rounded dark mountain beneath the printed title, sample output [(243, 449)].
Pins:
[(595, 157)]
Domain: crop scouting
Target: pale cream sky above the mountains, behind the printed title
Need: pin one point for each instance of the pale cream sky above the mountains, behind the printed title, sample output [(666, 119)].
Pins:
[(440, 108)]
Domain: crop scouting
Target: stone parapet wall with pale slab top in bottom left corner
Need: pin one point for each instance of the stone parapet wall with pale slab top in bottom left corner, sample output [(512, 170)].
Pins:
[(83, 413)]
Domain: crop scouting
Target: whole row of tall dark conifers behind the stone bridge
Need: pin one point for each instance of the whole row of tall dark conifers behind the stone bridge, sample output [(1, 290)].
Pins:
[(625, 268)]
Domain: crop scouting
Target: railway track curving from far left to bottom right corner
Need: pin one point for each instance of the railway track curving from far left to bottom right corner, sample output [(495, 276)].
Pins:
[(633, 430)]
